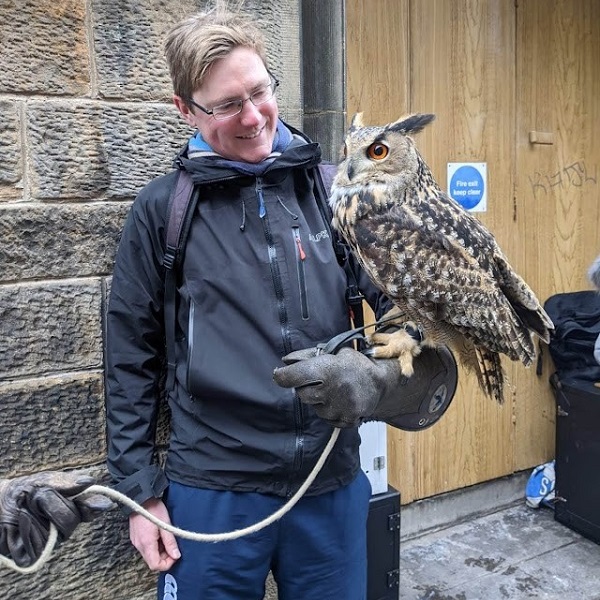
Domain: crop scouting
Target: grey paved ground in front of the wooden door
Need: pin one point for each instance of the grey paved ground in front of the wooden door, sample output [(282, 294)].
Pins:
[(511, 553)]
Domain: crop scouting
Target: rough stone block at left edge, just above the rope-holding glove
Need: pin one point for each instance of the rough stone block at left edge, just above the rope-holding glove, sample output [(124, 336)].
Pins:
[(52, 422)]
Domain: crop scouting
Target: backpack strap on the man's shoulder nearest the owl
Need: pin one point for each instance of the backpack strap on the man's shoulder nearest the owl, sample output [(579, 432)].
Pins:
[(324, 175)]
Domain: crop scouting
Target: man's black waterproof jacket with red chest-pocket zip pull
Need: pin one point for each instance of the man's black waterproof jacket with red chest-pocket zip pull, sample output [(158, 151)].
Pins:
[(259, 279)]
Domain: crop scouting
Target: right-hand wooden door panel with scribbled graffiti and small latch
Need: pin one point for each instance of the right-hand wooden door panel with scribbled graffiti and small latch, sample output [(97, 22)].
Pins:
[(557, 213)]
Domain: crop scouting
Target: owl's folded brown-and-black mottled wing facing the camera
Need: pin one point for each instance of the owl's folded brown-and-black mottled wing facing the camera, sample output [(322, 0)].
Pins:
[(438, 264)]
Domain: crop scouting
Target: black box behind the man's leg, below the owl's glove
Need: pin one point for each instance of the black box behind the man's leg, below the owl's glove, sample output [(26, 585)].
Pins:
[(383, 546)]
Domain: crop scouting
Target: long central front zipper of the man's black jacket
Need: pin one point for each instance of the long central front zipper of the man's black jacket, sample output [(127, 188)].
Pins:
[(283, 320)]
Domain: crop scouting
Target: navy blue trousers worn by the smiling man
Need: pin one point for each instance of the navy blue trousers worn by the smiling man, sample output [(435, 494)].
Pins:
[(317, 551)]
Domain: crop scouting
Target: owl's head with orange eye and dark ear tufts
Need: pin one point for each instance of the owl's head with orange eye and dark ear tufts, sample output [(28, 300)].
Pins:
[(380, 154)]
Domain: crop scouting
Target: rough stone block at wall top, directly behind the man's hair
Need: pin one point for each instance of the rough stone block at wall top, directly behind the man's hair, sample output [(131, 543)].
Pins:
[(129, 36)]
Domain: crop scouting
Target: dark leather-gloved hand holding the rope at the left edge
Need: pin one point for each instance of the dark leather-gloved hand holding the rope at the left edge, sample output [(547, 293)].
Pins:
[(29, 504)]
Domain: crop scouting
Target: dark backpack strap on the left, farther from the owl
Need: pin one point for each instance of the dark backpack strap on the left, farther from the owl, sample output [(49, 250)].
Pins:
[(182, 203)]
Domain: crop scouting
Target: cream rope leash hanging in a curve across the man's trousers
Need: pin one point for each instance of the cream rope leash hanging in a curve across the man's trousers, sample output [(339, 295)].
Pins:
[(182, 533)]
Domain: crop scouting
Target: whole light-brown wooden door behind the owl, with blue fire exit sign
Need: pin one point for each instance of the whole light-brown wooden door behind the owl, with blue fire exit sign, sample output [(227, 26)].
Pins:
[(485, 70)]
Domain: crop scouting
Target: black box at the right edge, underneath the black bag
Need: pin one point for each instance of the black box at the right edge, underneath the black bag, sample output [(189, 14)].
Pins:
[(578, 456)]
